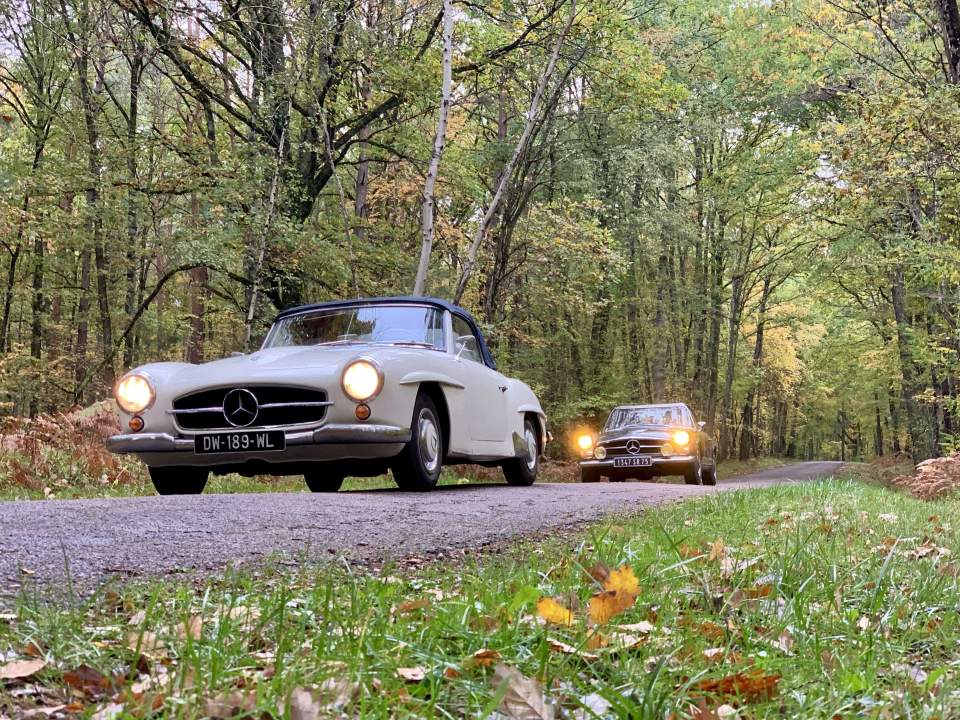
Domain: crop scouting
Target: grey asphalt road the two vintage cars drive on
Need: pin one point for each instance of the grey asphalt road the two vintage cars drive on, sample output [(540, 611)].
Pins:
[(43, 542)]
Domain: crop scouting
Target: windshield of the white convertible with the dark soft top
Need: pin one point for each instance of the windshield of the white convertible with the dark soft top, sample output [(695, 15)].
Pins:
[(400, 324)]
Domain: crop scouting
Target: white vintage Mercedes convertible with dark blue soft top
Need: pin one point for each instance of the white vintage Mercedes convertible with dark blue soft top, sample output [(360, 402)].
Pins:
[(338, 388)]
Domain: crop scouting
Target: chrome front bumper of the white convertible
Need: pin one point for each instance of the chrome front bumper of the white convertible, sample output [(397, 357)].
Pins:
[(337, 434)]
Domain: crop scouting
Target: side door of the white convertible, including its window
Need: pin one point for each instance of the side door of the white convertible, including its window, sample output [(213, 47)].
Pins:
[(486, 389)]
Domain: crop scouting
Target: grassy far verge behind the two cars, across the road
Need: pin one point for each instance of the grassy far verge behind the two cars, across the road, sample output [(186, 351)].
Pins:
[(66, 478)]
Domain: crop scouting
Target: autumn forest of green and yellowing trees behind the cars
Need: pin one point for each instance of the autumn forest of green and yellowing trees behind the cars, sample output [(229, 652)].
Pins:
[(750, 206)]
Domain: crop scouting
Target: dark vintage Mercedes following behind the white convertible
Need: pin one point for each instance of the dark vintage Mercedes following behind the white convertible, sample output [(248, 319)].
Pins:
[(643, 441)]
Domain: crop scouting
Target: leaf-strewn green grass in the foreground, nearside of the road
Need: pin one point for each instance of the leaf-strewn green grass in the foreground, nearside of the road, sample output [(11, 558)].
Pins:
[(820, 600)]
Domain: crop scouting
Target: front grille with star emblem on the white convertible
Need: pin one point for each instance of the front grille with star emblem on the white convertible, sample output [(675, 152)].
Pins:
[(276, 405)]
